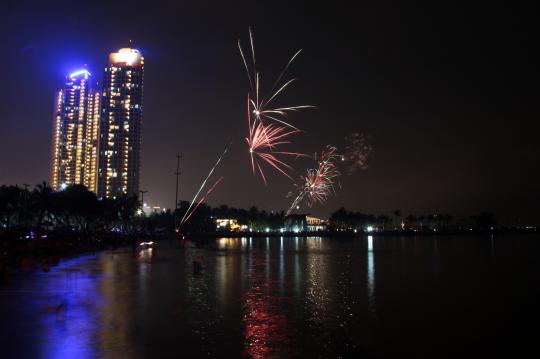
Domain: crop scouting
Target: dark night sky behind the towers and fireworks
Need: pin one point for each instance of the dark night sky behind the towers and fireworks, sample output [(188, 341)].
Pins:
[(448, 92)]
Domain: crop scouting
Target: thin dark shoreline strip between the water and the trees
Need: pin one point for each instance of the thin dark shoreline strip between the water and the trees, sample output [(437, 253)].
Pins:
[(37, 253)]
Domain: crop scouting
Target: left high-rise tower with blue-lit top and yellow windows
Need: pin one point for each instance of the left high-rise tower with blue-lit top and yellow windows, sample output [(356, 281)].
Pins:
[(75, 130)]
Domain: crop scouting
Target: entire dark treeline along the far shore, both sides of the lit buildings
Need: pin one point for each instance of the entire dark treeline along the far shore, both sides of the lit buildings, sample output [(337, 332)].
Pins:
[(76, 209)]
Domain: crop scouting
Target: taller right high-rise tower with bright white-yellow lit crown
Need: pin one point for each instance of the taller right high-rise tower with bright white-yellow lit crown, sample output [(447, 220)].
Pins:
[(120, 124)]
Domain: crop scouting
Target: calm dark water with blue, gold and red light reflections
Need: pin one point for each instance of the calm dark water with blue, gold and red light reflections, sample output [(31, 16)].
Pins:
[(290, 297)]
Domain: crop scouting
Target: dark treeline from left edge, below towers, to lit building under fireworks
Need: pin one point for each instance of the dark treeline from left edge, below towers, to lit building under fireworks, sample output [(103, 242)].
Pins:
[(76, 209)]
